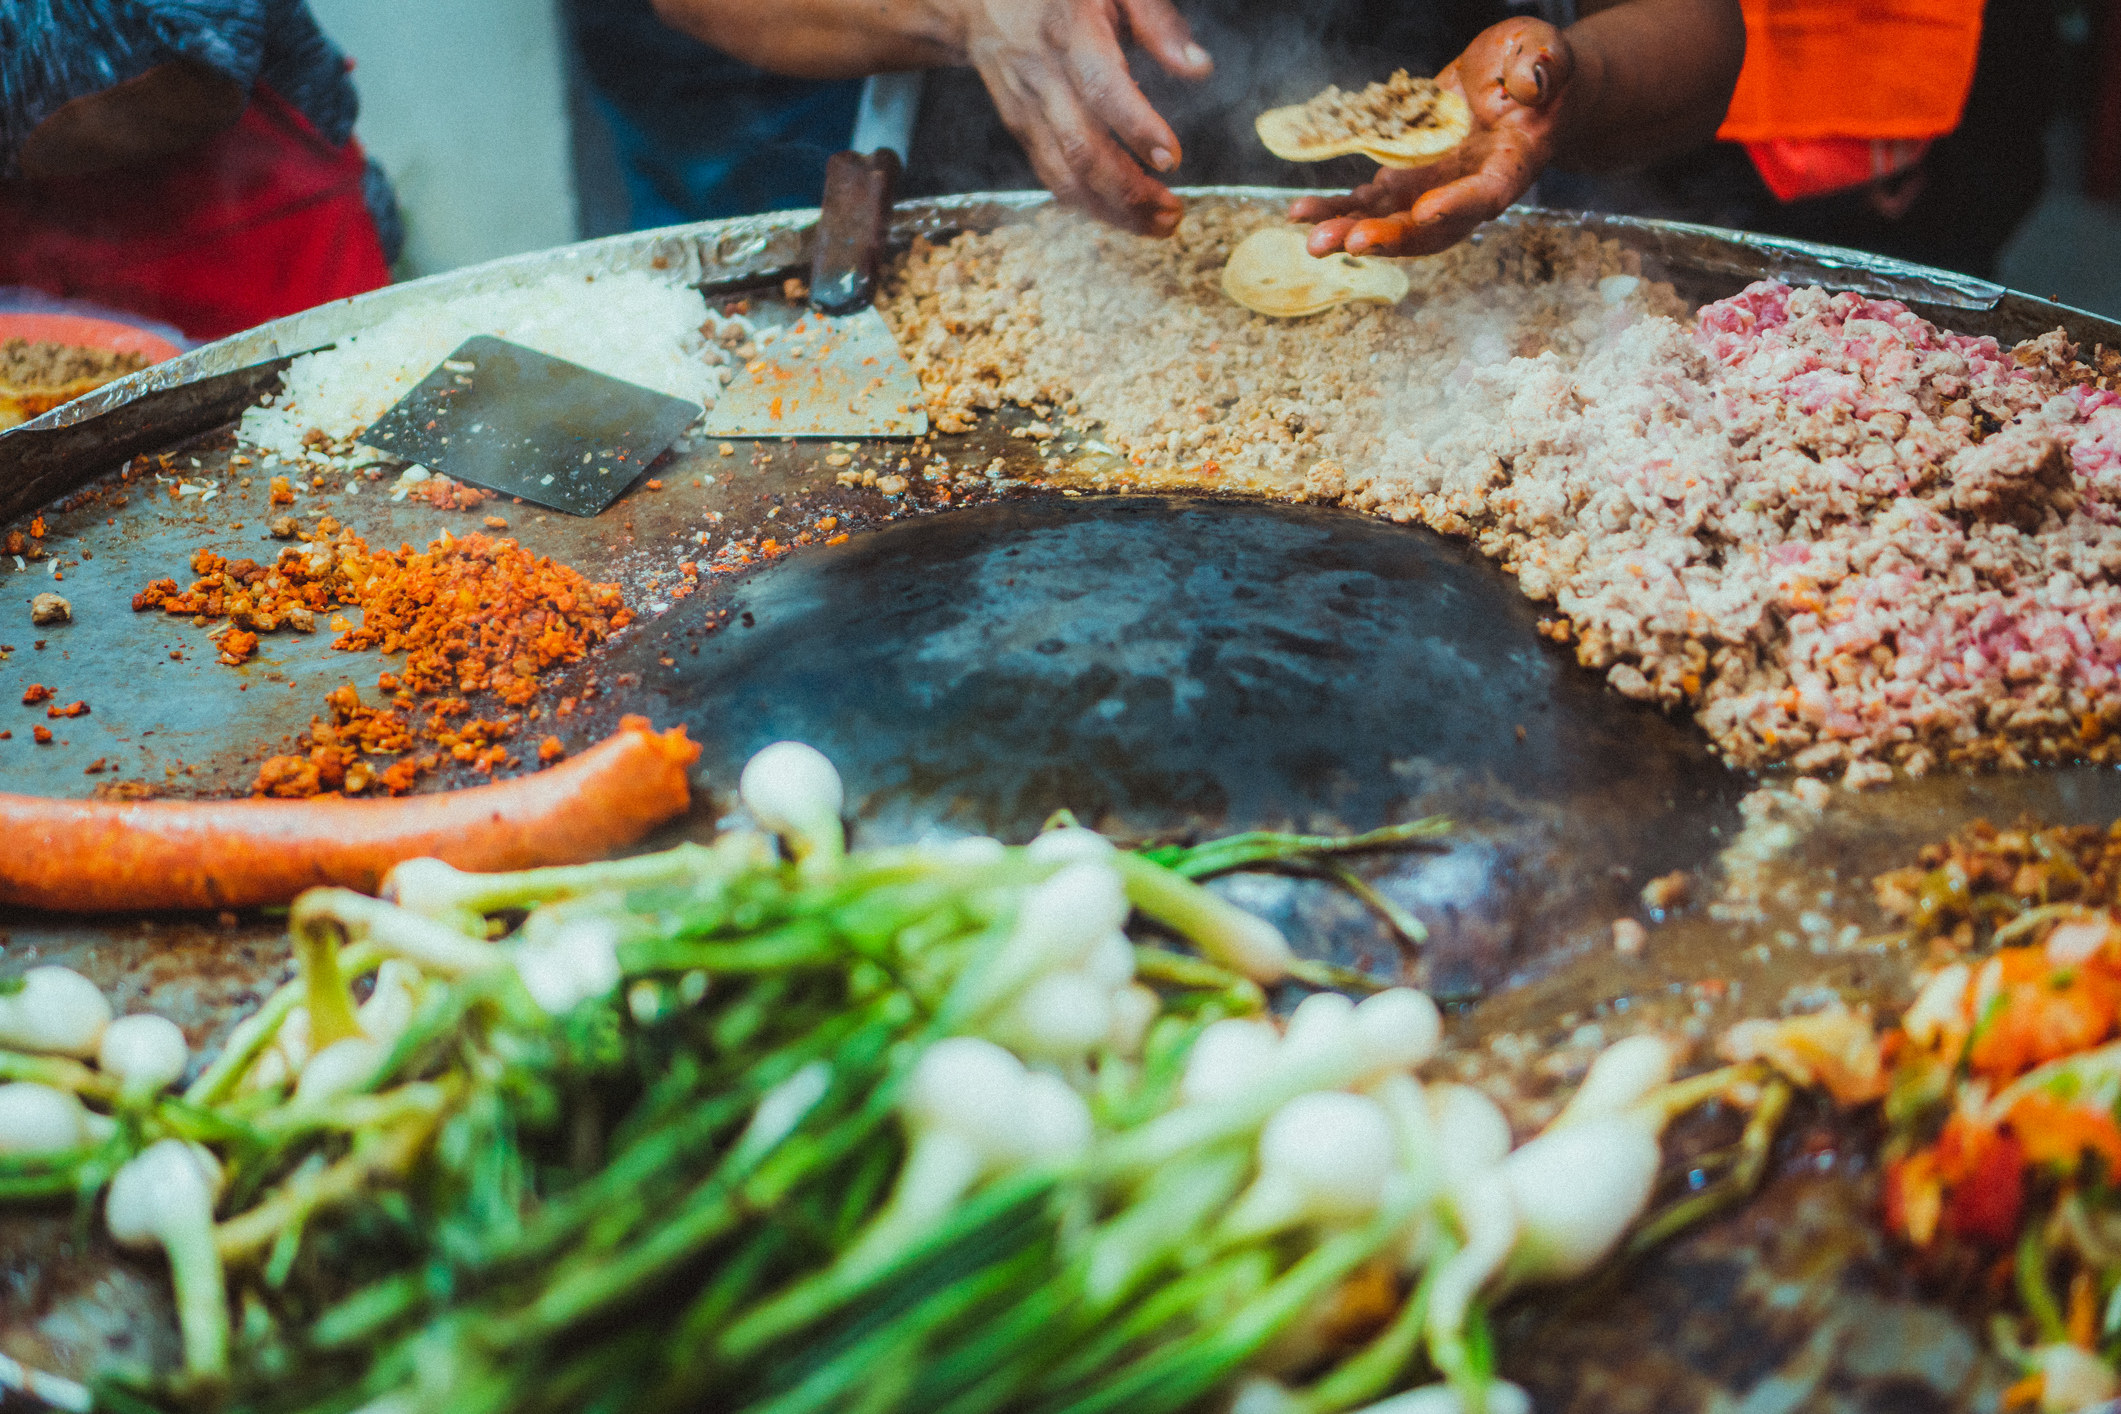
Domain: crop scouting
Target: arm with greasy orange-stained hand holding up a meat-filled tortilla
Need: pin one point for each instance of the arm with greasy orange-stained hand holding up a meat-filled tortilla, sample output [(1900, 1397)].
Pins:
[(1632, 82)]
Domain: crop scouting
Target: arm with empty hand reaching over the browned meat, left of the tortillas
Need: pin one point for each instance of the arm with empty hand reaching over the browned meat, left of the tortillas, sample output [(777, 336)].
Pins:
[(1055, 71)]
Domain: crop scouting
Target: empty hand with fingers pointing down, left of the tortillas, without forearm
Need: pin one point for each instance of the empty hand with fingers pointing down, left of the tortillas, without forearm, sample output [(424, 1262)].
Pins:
[(1059, 82)]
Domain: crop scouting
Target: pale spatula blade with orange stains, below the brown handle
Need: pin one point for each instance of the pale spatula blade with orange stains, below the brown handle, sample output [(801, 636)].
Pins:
[(824, 376)]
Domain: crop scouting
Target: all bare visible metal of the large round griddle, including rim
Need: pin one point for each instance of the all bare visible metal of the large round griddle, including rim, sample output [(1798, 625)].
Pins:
[(1161, 667)]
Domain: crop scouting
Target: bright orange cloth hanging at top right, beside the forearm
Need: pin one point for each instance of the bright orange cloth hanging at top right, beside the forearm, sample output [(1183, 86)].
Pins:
[(1855, 69)]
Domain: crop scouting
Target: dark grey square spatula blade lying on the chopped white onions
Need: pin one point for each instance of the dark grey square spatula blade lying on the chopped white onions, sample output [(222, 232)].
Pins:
[(529, 425)]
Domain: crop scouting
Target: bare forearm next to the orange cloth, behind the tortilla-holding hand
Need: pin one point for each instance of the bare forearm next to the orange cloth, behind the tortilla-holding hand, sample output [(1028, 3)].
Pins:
[(1653, 77)]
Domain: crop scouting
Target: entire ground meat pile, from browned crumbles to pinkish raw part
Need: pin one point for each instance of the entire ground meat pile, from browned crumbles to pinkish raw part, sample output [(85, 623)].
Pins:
[(1840, 535)]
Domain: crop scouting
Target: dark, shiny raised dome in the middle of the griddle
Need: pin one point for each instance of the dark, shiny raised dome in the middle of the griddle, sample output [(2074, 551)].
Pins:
[(1197, 667)]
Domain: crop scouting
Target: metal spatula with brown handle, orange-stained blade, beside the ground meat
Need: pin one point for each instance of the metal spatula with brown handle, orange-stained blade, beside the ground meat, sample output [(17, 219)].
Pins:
[(837, 372)]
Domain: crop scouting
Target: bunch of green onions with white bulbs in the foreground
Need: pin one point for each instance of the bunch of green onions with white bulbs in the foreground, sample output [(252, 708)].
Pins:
[(777, 1127)]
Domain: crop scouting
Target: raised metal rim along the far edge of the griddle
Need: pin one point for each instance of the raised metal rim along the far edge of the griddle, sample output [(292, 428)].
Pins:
[(63, 450)]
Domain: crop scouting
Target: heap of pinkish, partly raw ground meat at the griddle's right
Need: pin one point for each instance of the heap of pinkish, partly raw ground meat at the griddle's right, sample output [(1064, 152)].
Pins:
[(1844, 537)]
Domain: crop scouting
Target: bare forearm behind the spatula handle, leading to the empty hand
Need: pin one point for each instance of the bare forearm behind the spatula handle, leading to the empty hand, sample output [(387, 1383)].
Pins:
[(822, 39)]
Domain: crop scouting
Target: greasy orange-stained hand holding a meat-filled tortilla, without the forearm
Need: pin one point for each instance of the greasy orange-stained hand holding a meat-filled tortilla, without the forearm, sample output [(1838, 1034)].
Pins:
[(1513, 79)]
